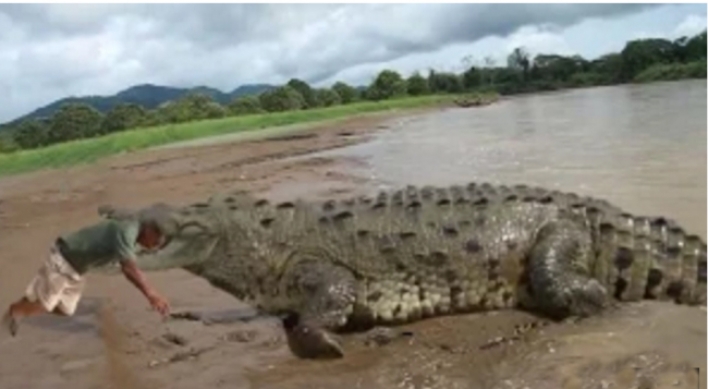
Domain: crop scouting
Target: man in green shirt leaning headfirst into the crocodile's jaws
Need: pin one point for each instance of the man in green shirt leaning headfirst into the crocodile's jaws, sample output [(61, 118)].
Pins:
[(58, 285)]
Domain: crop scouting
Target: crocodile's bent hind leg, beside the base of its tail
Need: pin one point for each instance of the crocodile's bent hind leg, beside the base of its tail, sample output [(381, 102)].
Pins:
[(561, 285)]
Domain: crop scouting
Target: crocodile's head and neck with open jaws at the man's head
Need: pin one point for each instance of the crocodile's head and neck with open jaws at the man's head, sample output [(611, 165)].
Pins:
[(217, 240)]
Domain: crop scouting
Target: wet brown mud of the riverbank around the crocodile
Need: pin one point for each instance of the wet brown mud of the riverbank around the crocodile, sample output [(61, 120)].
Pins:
[(115, 341)]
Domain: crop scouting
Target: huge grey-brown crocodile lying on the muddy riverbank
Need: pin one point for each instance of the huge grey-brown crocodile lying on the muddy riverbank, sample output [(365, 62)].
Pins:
[(364, 262)]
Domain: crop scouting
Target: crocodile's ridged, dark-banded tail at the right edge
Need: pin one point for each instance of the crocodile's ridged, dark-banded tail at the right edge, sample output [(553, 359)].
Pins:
[(647, 257)]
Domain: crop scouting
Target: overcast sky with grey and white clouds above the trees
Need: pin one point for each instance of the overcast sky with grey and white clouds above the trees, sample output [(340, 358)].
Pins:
[(51, 51)]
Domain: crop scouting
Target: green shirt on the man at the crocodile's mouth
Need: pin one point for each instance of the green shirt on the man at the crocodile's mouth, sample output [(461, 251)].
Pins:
[(100, 244)]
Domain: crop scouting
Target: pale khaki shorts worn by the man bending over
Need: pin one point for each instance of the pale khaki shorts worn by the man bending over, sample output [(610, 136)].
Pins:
[(56, 284)]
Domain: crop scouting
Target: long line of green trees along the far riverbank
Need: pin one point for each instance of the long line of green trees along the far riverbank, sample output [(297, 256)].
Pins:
[(641, 60)]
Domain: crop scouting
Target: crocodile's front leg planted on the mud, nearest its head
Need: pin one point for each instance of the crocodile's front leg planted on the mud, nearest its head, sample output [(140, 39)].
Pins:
[(325, 294)]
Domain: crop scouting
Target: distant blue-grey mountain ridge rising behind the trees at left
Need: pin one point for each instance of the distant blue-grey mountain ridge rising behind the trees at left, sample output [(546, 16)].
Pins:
[(147, 95)]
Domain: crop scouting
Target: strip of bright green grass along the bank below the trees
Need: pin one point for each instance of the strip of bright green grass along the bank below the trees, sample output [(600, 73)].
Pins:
[(89, 150)]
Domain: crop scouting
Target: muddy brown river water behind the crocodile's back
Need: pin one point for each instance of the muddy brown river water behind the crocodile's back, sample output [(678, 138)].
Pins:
[(642, 147)]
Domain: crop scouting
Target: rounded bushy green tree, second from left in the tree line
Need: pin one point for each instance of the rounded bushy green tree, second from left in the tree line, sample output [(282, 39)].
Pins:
[(75, 121)]
